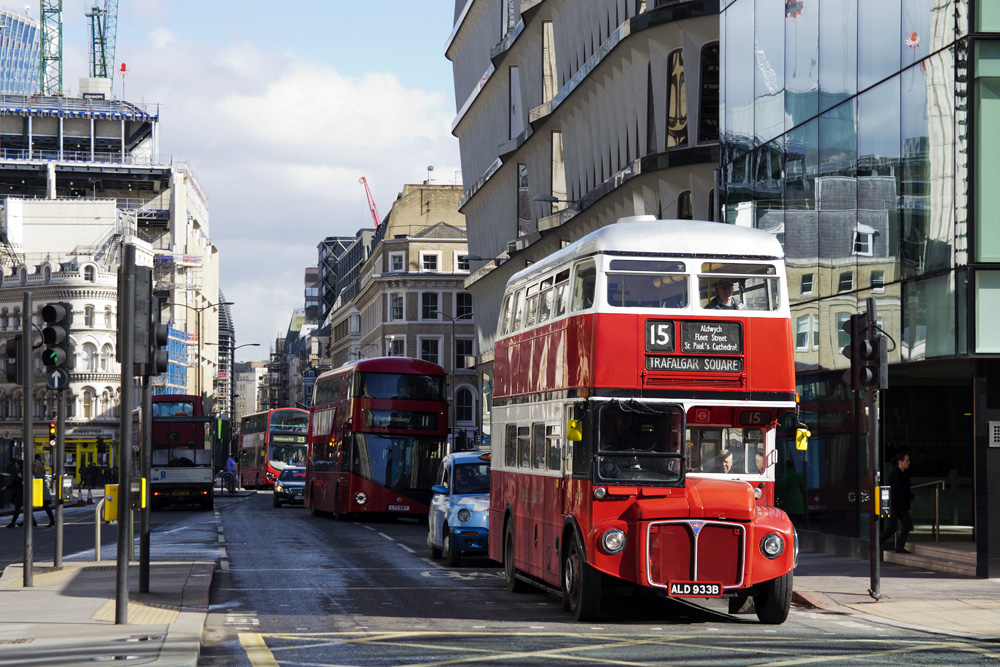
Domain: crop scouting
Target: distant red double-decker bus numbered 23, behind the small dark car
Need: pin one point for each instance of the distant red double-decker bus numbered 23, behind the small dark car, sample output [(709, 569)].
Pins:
[(269, 441)]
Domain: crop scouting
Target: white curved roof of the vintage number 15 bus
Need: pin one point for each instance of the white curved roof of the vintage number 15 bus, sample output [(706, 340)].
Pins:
[(672, 238)]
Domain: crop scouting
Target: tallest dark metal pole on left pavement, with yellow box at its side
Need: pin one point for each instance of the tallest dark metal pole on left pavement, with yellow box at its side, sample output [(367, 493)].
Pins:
[(126, 343)]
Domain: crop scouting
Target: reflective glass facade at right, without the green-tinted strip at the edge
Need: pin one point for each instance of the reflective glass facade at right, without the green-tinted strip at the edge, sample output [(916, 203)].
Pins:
[(848, 144)]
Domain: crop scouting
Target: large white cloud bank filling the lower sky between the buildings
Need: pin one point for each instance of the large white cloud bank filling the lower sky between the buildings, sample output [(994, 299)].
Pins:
[(278, 144)]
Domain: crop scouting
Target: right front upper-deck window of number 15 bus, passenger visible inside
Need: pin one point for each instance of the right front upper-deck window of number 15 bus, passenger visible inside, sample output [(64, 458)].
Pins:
[(737, 286)]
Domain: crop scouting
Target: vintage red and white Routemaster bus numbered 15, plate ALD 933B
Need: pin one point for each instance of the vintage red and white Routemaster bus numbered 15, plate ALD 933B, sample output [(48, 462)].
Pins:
[(617, 390)]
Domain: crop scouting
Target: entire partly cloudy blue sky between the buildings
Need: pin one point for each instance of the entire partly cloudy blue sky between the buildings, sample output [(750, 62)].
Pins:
[(280, 108)]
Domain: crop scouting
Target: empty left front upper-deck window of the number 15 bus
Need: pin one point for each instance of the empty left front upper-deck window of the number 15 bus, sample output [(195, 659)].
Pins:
[(647, 284)]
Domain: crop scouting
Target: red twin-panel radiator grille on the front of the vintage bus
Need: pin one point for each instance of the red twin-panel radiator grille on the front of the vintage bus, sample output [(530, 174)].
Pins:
[(673, 551)]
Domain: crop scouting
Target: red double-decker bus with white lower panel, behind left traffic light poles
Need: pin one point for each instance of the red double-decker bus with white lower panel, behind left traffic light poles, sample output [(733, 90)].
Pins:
[(182, 470)]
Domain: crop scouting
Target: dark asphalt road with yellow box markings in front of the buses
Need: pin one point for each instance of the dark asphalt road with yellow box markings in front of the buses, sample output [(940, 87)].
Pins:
[(296, 589)]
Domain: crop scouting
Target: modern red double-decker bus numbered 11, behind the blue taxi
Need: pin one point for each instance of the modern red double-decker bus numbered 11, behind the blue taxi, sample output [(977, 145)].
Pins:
[(378, 430)]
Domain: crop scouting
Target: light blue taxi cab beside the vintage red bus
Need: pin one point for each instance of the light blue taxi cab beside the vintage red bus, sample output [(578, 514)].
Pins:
[(458, 521)]
